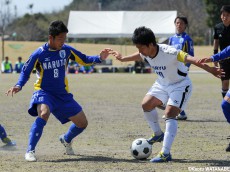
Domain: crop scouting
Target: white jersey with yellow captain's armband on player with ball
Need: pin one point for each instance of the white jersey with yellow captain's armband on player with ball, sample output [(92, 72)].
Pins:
[(168, 64)]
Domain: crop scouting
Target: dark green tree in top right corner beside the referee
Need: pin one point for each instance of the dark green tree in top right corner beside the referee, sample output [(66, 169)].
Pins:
[(213, 10)]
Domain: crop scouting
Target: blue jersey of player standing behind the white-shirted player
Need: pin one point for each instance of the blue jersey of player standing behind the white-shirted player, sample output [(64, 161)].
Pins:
[(182, 42)]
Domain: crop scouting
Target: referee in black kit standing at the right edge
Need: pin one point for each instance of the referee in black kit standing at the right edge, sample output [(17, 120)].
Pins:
[(222, 40)]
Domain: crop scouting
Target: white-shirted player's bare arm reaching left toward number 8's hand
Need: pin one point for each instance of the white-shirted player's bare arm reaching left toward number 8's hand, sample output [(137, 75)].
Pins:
[(133, 57)]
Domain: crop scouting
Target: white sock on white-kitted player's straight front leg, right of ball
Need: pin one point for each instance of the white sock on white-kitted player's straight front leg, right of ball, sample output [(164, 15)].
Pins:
[(170, 134)]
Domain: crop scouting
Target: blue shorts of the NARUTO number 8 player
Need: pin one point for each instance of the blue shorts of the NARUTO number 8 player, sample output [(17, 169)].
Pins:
[(62, 106)]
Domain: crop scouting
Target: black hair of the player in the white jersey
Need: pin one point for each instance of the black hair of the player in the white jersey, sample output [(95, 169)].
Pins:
[(143, 36)]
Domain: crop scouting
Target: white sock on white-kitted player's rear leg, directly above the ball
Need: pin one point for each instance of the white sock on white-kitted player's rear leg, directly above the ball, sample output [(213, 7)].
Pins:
[(152, 119)]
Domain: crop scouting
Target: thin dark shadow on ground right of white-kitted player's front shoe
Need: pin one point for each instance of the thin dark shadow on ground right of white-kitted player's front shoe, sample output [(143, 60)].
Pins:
[(204, 161)]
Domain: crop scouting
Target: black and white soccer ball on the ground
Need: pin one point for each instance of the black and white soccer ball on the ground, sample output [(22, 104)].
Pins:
[(141, 149)]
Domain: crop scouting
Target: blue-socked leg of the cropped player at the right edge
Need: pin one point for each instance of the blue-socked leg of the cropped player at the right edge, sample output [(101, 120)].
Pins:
[(226, 110)]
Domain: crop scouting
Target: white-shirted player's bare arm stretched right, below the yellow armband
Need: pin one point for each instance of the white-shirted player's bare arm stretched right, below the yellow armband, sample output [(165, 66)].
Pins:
[(217, 72)]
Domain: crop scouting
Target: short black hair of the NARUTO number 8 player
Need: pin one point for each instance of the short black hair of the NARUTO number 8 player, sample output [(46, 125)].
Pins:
[(57, 27)]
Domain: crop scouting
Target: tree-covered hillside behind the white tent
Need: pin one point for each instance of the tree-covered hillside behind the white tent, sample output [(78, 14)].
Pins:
[(202, 16)]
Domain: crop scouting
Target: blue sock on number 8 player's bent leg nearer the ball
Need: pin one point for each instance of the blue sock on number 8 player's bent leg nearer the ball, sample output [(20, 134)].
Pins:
[(72, 132)]
